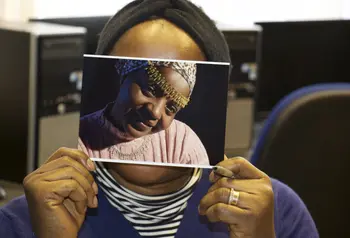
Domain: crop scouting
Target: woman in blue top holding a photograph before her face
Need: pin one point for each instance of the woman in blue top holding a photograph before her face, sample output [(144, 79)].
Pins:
[(150, 201)]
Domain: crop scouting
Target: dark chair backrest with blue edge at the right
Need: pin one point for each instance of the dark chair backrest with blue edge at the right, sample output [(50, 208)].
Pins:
[(305, 144)]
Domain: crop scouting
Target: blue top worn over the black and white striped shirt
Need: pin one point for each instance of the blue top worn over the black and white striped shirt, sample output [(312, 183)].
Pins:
[(292, 219)]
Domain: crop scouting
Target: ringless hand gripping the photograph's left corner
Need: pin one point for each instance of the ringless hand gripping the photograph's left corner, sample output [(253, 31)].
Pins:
[(59, 192)]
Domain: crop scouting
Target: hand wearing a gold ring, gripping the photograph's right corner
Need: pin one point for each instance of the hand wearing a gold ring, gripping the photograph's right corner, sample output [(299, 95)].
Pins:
[(253, 215)]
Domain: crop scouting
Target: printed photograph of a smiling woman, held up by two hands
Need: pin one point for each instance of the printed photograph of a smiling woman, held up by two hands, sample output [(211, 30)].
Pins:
[(153, 111)]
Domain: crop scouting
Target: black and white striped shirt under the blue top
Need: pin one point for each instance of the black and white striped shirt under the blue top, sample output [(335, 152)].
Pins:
[(151, 216)]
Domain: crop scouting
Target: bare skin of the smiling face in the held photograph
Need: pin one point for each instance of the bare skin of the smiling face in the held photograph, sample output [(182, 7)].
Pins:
[(145, 108)]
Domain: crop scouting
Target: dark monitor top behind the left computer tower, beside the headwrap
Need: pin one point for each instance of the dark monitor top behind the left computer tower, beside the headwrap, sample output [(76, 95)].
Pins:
[(93, 25)]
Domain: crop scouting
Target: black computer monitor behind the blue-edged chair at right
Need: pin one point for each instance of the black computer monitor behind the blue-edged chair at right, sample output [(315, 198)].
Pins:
[(296, 54)]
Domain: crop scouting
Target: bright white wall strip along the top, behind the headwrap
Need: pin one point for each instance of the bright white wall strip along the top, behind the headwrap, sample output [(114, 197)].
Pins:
[(228, 11)]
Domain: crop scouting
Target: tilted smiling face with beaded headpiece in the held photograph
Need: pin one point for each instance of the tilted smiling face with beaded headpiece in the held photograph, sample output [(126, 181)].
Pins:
[(150, 96)]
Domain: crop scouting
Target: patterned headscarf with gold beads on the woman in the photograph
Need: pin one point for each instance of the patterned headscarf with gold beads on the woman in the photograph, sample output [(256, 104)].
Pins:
[(185, 69)]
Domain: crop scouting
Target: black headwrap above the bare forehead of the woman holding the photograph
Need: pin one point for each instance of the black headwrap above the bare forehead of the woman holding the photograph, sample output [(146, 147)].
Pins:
[(182, 13)]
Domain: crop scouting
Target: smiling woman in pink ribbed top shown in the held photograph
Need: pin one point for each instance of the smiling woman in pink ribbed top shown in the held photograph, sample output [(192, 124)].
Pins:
[(140, 124)]
